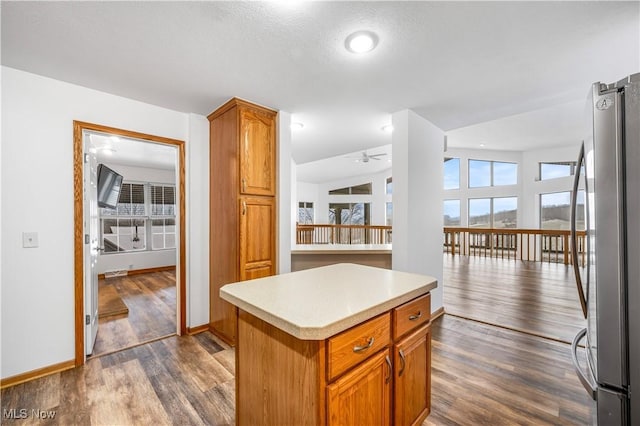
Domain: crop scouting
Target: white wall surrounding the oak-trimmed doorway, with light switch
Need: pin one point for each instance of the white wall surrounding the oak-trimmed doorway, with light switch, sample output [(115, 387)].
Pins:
[(37, 158)]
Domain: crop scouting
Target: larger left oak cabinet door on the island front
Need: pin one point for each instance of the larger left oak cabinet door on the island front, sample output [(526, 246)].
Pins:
[(362, 396)]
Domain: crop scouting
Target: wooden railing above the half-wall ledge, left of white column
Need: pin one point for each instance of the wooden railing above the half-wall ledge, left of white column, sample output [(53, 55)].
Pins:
[(343, 234)]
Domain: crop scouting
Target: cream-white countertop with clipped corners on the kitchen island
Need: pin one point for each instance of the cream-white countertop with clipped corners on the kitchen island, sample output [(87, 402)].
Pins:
[(318, 303)]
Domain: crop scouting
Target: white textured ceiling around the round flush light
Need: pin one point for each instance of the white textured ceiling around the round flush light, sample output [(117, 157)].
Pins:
[(510, 75)]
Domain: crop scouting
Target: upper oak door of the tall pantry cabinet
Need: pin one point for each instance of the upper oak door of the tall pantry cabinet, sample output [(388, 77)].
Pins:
[(257, 152)]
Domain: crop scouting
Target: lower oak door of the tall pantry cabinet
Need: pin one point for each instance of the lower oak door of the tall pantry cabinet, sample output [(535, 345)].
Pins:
[(257, 237)]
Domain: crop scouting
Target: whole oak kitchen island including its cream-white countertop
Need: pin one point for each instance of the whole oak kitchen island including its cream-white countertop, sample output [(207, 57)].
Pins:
[(339, 344)]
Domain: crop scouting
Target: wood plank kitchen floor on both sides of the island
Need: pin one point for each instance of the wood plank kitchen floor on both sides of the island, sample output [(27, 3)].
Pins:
[(481, 375)]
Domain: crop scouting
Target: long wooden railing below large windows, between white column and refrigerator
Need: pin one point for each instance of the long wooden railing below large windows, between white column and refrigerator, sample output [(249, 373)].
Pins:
[(541, 245)]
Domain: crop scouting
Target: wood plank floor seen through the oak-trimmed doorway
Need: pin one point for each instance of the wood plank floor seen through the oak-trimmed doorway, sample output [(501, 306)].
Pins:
[(151, 299)]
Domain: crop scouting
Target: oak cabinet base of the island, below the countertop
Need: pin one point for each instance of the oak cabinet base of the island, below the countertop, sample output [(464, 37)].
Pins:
[(375, 373)]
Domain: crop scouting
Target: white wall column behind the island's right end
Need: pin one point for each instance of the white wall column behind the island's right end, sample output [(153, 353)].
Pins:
[(417, 198)]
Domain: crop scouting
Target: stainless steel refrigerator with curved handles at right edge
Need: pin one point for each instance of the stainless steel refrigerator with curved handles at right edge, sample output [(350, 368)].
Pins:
[(609, 284)]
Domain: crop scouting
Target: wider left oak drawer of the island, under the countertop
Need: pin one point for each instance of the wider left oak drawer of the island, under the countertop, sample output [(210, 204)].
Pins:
[(353, 346)]
